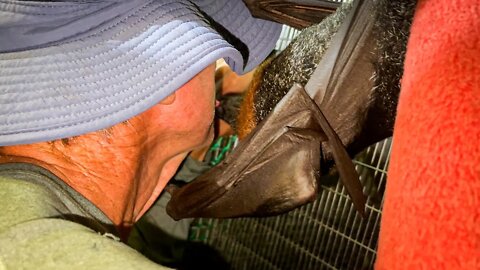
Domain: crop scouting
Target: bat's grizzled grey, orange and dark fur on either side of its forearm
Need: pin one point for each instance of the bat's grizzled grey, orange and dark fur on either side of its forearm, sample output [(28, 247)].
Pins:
[(371, 122)]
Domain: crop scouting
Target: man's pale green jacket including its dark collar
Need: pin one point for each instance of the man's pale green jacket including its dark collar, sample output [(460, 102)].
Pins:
[(45, 224)]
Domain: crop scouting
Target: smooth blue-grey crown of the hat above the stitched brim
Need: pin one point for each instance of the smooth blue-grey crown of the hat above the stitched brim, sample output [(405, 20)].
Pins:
[(34, 24)]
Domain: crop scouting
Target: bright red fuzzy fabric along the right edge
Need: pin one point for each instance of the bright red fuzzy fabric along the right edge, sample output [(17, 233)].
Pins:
[(431, 215)]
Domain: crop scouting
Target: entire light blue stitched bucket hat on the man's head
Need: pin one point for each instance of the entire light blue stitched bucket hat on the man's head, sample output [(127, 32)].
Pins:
[(72, 67)]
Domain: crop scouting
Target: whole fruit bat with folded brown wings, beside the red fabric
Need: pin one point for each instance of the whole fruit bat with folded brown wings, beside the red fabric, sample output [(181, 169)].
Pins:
[(276, 168)]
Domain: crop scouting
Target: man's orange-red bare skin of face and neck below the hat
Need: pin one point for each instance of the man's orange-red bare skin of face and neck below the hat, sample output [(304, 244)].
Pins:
[(123, 169)]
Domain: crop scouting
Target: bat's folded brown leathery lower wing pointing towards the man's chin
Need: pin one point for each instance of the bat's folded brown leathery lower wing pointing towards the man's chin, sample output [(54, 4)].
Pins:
[(274, 170)]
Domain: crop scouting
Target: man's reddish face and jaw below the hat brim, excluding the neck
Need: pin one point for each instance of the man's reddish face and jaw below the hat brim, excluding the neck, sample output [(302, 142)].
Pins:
[(174, 127)]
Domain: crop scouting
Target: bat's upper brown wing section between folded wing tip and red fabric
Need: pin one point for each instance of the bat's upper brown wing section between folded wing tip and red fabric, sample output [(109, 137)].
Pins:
[(346, 86)]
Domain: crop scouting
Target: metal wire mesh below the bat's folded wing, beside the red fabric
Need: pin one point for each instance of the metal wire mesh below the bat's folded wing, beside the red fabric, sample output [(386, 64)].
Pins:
[(326, 234)]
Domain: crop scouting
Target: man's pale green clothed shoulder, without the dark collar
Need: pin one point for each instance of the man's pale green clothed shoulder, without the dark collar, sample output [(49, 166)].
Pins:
[(35, 235)]
